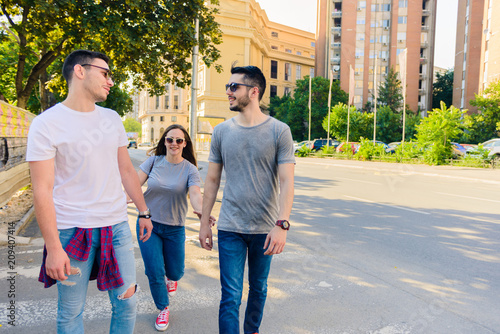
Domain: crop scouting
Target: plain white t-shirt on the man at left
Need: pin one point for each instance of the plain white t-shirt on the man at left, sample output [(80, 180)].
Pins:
[(87, 185)]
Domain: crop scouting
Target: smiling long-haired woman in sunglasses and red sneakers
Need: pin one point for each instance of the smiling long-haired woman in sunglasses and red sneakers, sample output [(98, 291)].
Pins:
[(171, 173)]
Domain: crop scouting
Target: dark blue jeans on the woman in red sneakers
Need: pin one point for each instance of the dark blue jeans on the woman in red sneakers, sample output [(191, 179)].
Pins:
[(163, 255)]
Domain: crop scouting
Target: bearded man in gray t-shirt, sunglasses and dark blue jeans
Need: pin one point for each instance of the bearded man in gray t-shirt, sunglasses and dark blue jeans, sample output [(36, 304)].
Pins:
[(256, 152)]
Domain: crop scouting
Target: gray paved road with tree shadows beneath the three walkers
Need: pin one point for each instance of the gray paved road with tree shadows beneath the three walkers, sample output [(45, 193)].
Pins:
[(374, 248)]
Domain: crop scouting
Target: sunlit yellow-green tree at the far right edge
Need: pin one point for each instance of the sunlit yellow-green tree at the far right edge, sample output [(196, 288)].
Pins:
[(488, 105)]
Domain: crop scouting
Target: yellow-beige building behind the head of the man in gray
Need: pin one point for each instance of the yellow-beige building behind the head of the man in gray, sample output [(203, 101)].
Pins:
[(284, 54)]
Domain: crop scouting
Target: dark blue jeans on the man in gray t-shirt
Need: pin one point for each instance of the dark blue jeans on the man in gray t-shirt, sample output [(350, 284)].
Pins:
[(233, 249)]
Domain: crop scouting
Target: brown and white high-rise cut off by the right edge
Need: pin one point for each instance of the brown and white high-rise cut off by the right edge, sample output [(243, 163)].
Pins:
[(477, 52)]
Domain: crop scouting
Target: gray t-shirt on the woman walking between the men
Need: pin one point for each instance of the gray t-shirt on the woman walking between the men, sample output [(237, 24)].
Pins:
[(168, 186)]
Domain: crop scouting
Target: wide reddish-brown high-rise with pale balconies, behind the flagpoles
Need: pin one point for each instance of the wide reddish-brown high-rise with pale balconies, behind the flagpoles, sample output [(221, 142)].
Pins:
[(371, 34)]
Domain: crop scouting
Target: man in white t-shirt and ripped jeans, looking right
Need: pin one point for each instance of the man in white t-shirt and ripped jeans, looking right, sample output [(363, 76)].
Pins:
[(78, 160)]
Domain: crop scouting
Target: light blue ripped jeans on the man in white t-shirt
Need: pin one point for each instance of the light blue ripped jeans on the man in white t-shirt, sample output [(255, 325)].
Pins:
[(73, 291)]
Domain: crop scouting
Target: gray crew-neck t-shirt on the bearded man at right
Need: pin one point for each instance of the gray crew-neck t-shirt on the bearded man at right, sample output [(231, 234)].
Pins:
[(250, 157)]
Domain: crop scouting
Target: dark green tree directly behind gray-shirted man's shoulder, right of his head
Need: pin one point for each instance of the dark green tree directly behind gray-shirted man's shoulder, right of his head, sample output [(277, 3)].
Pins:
[(294, 111)]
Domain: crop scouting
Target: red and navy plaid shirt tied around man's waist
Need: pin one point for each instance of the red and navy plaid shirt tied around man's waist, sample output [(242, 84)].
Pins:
[(105, 267)]
